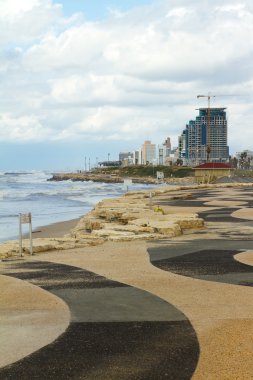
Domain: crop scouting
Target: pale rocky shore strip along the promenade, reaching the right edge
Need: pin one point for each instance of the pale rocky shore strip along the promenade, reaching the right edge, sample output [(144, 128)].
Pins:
[(130, 217)]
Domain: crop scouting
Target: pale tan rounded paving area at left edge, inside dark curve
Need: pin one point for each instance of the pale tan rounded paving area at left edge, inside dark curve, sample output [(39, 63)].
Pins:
[(30, 318)]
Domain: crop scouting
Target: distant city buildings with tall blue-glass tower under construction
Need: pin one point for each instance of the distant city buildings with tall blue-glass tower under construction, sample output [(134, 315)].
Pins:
[(202, 141)]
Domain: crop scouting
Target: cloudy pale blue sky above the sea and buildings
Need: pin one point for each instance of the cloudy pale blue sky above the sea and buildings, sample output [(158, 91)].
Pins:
[(84, 78)]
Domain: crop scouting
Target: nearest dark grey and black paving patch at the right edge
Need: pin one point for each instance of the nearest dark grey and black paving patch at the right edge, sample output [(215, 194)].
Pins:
[(212, 264)]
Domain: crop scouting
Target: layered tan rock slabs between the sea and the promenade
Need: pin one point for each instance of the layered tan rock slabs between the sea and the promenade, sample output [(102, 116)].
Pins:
[(130, 217)]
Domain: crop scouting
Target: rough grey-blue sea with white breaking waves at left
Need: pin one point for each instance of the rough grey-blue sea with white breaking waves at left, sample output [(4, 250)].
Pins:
[(48, 201)]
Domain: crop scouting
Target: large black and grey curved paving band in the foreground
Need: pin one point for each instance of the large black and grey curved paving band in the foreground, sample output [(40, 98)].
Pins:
[(116, 331)]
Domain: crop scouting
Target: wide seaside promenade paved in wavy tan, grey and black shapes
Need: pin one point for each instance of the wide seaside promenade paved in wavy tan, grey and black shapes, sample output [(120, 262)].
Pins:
[(176, 308)]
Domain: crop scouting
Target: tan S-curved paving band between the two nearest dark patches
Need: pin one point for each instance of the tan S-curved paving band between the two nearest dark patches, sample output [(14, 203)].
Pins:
[(221, 314)]
